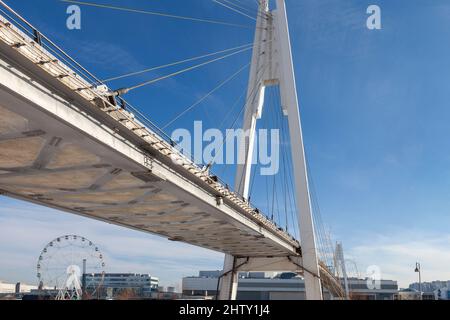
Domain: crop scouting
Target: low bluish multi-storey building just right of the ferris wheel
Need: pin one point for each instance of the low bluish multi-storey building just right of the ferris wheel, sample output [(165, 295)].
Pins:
[(124, 285)]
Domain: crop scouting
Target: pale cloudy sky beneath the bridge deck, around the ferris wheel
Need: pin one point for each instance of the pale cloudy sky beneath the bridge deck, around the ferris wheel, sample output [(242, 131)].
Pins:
[(25, 229)]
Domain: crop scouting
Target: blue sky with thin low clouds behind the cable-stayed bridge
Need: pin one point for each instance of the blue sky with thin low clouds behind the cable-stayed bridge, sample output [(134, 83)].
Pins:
[(375, 116)]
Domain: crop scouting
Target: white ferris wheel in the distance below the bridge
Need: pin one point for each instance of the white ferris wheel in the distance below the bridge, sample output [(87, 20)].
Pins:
[(72, 266)]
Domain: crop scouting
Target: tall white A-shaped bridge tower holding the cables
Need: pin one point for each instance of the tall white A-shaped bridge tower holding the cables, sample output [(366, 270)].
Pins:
[(272, 65)]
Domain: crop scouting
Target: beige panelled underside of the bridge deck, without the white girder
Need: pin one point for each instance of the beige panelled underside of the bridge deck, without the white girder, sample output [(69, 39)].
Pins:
[(59, 168)]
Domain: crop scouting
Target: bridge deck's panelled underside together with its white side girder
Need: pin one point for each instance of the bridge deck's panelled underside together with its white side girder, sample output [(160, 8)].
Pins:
[(50, 162)]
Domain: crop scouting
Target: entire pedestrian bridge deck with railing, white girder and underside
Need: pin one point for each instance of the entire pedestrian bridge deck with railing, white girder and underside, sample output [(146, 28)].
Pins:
[(66, 145)]
